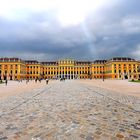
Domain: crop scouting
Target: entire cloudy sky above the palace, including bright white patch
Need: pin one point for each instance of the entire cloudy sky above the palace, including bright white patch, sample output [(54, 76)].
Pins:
[(55, 29)]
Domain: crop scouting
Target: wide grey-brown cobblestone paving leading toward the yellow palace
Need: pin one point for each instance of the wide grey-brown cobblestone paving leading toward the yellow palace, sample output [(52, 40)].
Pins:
[(70, 110)]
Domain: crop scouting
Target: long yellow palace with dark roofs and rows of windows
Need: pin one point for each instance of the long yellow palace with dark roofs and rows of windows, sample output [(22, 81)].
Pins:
[(115, 68)]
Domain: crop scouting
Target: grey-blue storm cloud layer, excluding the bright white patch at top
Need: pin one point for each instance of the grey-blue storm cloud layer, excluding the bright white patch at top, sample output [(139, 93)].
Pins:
[(108, 32)]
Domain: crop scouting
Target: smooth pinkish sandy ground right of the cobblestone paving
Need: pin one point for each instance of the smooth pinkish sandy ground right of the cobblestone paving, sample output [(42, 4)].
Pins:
[(120, 86)]
